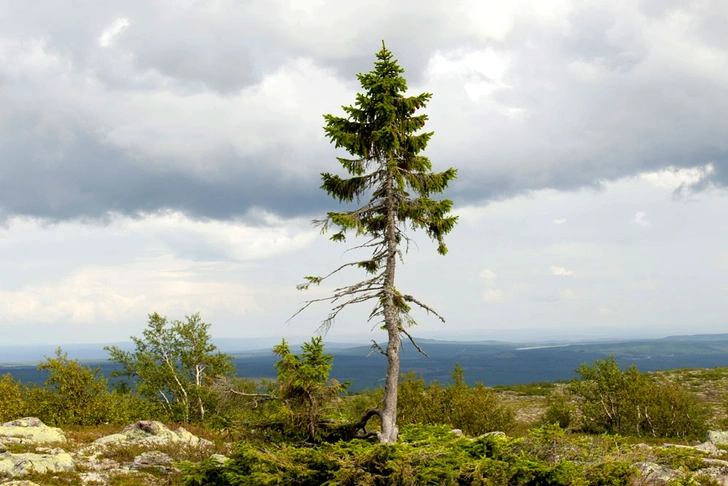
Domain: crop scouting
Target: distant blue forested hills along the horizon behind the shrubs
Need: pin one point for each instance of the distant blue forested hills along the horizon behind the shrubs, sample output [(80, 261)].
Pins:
[(490, 362)]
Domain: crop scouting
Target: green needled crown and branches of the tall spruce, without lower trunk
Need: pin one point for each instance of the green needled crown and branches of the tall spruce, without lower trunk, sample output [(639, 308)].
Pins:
[(380, 132)]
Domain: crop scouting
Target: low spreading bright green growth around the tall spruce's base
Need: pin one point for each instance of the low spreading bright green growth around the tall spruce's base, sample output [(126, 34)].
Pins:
[(425, 455)]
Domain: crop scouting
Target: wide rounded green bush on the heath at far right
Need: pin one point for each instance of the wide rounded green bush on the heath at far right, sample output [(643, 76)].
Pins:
[(630, 403)]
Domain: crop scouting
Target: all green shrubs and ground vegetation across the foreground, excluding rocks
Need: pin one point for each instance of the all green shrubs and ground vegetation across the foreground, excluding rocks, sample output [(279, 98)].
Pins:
[(305, 429)]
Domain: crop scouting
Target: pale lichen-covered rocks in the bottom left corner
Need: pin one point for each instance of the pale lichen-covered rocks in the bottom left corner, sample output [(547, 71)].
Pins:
[(144, 453)]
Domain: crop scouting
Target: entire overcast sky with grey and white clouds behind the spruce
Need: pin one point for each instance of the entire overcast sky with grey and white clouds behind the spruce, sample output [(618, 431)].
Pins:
[(164, 156)]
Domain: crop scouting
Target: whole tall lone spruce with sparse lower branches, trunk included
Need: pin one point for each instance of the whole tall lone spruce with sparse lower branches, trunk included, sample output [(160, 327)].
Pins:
[(380, 132)]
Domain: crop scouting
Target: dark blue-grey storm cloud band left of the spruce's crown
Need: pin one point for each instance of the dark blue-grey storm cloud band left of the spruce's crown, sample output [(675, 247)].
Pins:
[(89, 179)]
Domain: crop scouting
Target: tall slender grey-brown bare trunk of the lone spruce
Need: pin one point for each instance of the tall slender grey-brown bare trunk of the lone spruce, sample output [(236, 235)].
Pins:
[(389, 410)]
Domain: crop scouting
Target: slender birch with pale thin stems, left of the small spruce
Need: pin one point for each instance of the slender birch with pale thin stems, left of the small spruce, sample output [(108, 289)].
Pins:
[(175, 365)]
